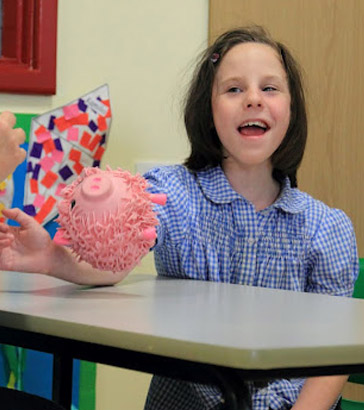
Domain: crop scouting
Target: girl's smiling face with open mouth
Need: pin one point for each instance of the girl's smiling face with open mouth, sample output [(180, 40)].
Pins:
[(250, 105)]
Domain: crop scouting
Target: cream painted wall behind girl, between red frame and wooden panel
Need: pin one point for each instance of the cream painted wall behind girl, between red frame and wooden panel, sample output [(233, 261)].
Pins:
[(144, 50)]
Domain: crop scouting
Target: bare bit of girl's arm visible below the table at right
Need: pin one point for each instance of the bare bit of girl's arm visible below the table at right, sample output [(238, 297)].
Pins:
[(320, 393)]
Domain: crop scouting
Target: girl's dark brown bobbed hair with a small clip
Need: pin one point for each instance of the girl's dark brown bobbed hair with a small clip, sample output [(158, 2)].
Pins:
[(206, 149)]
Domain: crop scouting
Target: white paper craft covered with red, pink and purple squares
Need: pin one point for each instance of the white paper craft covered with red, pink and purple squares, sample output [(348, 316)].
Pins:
[(61, 143)]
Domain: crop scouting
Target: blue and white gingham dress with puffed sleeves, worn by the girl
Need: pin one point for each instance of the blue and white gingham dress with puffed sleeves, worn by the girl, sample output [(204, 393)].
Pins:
[(209, 232)]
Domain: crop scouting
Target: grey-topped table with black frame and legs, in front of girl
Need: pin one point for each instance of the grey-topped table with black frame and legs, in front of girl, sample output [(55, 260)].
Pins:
[(199, 331)]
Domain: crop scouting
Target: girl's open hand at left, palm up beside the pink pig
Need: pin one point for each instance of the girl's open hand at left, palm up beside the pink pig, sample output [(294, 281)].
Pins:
[(27, 248)]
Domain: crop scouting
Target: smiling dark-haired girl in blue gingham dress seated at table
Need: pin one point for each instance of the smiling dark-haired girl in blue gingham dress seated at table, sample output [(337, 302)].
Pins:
[(233, 213)]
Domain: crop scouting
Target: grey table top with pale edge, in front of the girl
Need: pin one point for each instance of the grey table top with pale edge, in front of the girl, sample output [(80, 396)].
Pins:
[(206, 322)]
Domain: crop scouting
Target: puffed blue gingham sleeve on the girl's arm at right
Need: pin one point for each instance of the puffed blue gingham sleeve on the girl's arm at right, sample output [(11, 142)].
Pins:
[(333, 264)]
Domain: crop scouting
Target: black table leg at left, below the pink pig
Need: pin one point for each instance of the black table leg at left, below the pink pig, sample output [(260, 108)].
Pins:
[(62, 380)]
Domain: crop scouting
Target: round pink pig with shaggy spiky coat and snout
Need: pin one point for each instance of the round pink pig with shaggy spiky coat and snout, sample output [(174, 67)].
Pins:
[(107, 218)]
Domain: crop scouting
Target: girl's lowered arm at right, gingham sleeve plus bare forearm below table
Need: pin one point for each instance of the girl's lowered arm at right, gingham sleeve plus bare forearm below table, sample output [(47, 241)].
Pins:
[(334, 251)]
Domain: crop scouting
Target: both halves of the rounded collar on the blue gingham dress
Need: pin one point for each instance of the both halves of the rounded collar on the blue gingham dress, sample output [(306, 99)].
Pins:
[(216, 188)]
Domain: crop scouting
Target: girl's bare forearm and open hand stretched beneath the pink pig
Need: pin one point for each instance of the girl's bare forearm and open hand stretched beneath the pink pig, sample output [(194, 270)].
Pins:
[(29, 248)]
